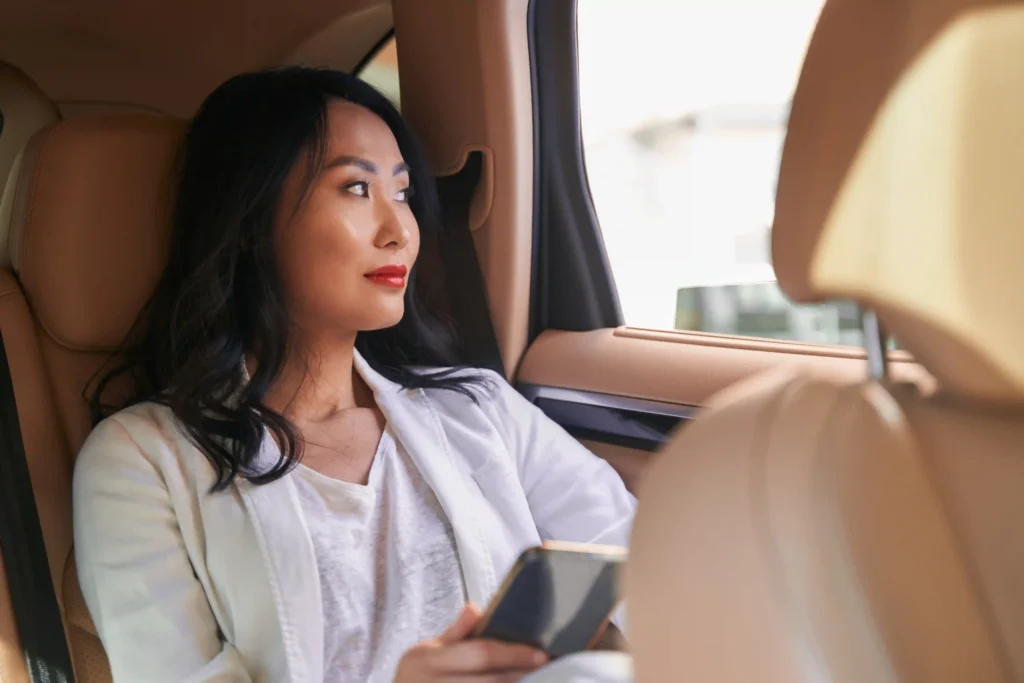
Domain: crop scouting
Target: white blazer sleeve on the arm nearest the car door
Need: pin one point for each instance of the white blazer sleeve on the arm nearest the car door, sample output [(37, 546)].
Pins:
[(573, 494)]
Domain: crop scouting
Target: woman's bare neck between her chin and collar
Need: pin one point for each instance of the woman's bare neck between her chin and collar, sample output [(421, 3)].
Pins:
[(319, 381)]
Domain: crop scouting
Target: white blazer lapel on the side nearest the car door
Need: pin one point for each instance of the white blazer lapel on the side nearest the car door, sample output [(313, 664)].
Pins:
[(417, 428)]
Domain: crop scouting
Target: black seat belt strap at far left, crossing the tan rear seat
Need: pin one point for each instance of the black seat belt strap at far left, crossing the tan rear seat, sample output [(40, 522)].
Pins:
[(32, 596)]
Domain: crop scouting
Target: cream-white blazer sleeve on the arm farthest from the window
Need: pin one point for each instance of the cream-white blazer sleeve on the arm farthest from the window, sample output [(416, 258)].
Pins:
[(150, 610)]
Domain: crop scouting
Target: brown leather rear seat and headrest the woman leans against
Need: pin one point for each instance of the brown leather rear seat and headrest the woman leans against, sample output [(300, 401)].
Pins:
[(91, 238)]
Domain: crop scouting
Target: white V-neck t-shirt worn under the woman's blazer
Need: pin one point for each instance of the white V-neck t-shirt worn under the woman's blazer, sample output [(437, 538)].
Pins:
[(389, 568)]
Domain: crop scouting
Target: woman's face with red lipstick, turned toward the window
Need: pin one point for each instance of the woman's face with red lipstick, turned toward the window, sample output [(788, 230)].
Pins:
[(347, 252)]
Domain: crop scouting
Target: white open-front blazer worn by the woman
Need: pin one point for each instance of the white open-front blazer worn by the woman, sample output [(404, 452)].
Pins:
[(184, 585)]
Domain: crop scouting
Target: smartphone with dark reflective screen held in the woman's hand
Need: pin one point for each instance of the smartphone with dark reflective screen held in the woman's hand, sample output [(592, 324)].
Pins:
[(559, 597)]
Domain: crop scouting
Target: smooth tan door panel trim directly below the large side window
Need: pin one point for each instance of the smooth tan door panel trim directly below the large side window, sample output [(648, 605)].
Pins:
[(686, 370)]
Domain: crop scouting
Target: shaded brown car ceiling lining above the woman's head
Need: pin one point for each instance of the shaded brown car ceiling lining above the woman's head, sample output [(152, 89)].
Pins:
[(167, 57)]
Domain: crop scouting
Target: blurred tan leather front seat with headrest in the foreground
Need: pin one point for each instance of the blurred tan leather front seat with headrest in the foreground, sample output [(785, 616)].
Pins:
[(807, 530)]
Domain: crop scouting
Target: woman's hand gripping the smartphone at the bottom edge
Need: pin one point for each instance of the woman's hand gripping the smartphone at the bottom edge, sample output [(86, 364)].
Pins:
[(453, 659)]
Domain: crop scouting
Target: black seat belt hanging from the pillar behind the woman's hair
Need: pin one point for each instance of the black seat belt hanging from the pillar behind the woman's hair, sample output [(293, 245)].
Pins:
[(464, 284)]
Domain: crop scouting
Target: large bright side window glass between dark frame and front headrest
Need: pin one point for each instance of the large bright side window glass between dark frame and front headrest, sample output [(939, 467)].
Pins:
[(685, 108)]
